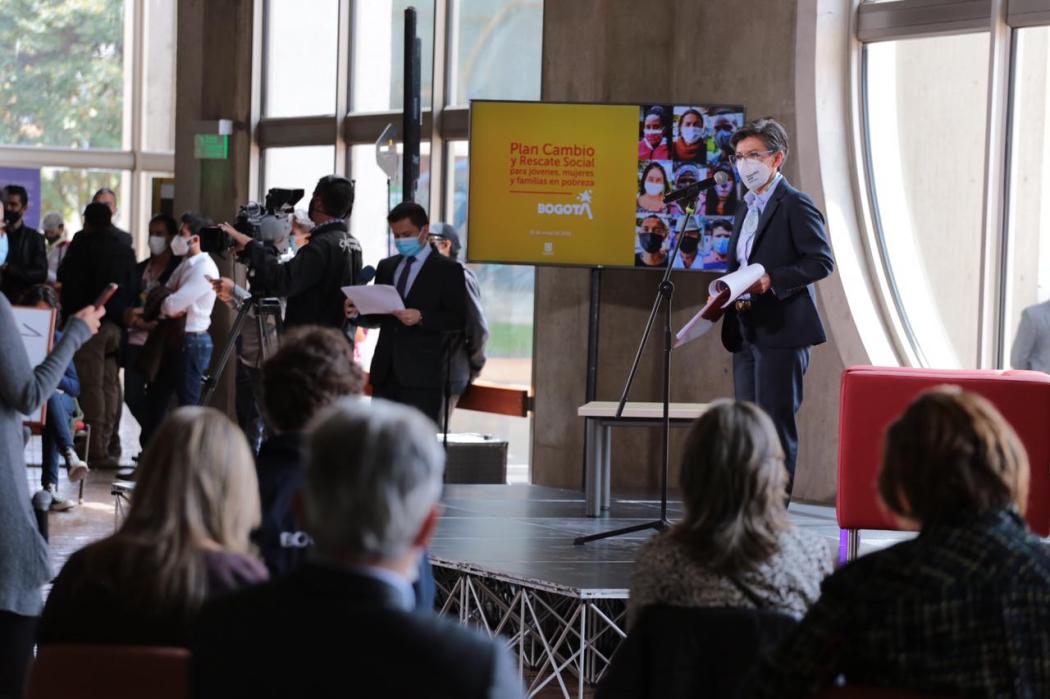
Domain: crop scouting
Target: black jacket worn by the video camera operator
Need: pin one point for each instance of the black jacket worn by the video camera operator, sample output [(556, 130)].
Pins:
[(313, 280)]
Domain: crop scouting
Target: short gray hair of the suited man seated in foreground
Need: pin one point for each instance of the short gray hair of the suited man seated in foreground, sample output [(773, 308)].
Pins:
[(374, 471)]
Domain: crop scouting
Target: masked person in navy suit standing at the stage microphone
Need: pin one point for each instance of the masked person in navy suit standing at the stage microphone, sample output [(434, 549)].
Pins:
[(770, 329)]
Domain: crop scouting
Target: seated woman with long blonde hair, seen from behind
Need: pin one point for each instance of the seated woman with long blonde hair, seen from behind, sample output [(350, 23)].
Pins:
[(185, 540)]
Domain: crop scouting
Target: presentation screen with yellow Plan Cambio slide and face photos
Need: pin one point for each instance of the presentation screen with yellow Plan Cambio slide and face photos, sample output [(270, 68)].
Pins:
[(584, 184)]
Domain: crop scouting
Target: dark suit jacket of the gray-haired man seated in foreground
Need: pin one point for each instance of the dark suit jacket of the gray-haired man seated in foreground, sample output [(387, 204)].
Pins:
[(268, 642)]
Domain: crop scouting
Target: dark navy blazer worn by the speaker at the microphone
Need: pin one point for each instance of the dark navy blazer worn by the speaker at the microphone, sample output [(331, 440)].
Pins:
[(792, 245)]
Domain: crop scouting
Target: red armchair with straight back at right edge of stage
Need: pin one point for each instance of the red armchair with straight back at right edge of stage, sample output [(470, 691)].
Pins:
[(872, 397)]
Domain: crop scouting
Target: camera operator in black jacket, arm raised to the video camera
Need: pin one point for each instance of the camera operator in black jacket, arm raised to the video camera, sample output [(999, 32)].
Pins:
[(312, 281)]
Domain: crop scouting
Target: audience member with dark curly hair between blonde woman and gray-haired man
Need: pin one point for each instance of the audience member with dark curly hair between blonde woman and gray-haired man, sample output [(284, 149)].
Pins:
[(313, 369)]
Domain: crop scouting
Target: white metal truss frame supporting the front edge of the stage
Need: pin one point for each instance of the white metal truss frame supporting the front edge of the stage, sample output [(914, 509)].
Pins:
[(559, 634)]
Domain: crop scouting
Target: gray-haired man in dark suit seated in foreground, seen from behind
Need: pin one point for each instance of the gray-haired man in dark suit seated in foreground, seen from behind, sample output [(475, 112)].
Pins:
[(371, 511)]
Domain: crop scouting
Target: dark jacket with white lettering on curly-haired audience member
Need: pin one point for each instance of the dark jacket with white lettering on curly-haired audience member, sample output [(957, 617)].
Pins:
[(281, 471)]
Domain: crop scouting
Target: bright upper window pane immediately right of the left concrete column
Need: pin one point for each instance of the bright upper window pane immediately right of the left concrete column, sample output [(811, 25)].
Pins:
[(302, 44)]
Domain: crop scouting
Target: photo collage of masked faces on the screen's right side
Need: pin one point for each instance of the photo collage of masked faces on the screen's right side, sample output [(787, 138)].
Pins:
[(679, 146)]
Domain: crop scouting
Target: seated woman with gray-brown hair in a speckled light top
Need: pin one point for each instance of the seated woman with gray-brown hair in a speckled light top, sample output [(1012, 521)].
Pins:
[(734, 547)]
